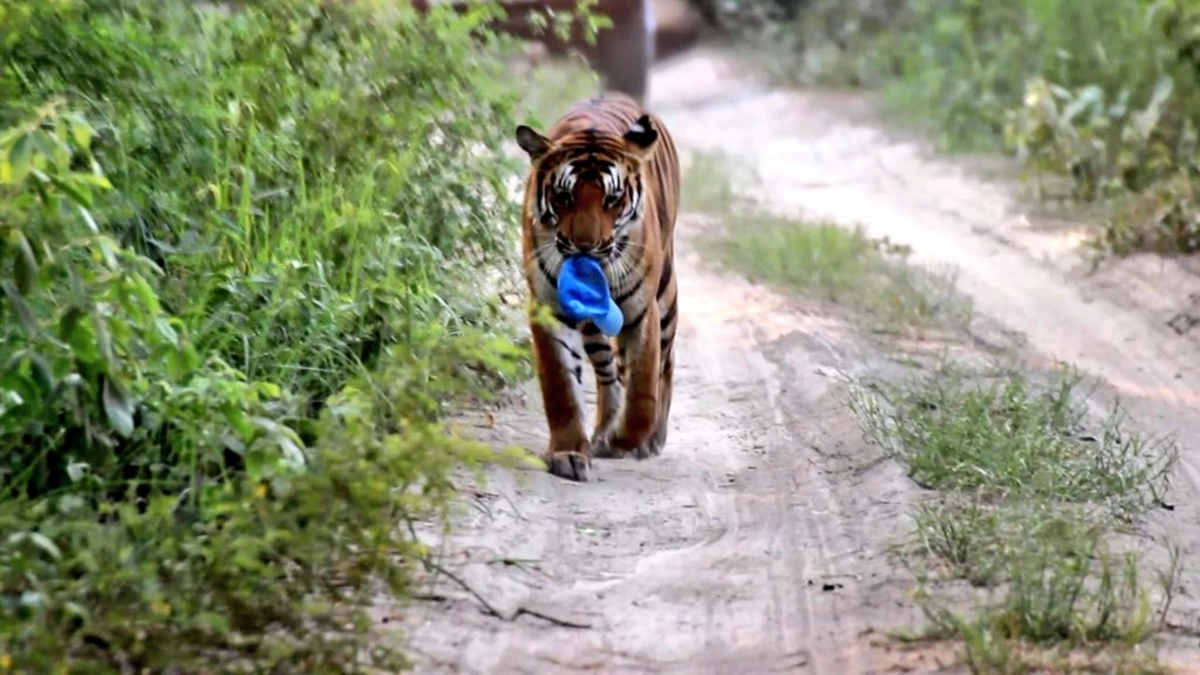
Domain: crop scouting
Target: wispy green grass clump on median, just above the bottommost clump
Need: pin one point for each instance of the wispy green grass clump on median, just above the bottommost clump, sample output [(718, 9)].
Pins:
[(999, 435)]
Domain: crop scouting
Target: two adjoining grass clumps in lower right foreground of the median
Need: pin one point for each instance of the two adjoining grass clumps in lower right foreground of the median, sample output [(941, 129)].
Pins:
[(1031, 499)]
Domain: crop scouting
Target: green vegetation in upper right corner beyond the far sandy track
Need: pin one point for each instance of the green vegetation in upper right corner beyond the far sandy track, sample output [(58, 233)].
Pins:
[(1105, 95)]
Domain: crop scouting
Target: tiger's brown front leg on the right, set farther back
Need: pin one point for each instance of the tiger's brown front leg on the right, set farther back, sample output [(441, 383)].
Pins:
[(640, 349)]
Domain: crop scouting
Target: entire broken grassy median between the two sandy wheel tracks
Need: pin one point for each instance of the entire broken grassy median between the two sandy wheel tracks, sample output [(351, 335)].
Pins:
[(1023, 548)]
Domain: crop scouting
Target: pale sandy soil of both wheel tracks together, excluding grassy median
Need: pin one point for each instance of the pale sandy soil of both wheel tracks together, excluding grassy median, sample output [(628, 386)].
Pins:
[(759, 541)]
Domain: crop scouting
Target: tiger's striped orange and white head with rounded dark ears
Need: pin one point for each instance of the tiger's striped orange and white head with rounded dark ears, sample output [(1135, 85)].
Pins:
[(590, 188)]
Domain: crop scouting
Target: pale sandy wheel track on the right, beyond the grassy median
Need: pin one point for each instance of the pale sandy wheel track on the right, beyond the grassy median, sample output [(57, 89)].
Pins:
[(820, 157)]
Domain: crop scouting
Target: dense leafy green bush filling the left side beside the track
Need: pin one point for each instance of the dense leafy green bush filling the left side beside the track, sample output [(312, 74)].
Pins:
[(241, 258)]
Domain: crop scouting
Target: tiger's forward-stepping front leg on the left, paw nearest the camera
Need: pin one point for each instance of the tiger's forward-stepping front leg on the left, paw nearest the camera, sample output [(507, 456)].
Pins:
[(559, 359)]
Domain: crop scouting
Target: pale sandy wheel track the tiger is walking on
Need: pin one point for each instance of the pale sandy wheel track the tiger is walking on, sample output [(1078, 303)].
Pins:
[(737, 551)]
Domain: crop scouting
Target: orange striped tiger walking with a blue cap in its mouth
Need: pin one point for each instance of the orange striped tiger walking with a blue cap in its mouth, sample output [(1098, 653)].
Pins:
[(605, 182)]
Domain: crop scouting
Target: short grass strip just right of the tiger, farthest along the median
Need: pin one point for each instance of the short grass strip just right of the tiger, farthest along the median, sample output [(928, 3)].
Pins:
[(821, 260)]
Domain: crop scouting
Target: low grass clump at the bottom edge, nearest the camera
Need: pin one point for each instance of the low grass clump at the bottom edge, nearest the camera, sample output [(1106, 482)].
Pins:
[(1061, 601)]
